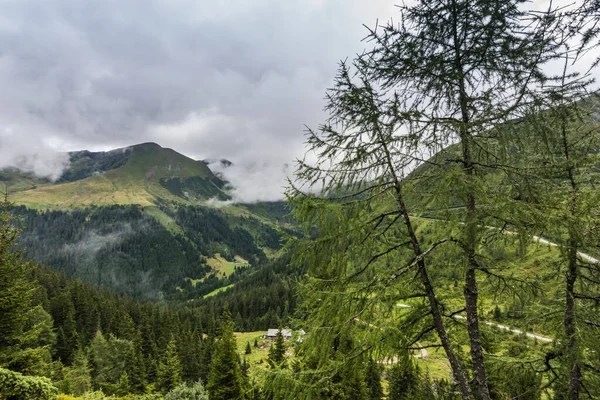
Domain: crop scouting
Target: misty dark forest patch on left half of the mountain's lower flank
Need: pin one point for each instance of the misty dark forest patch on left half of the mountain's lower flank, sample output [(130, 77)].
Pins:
[(118, 247)]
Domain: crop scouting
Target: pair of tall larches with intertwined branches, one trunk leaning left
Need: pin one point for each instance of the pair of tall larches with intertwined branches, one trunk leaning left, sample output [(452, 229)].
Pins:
[(449, 72)]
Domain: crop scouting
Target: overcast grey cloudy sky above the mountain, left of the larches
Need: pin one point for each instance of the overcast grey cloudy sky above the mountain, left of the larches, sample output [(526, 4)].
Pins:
[(234, 79)]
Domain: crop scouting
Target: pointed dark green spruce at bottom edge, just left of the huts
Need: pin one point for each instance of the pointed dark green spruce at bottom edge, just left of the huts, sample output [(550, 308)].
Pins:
[(225, 381)]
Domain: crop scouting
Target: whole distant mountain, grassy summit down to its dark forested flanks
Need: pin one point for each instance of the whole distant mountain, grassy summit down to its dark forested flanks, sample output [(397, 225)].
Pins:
[(137, 220)]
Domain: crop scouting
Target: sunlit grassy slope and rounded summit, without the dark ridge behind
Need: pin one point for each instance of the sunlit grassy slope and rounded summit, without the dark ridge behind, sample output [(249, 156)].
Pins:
[(152, 173)]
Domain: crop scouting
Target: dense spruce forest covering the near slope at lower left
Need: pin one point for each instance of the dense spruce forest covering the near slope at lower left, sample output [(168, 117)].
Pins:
[(77, 338)]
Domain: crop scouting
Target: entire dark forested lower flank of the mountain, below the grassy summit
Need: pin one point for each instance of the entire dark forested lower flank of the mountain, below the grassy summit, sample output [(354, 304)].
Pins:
[(128, 250)]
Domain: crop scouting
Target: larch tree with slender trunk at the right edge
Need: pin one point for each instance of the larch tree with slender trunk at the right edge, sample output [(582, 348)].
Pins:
[(561, 148)]
